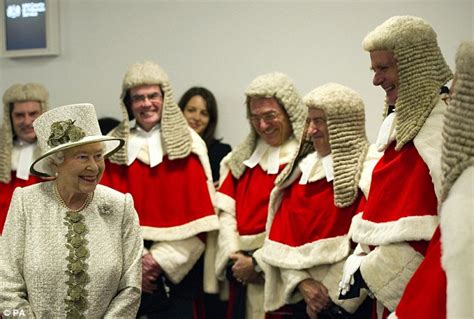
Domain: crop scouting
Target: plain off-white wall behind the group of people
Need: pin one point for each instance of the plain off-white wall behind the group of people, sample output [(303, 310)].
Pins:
[(223, 45)]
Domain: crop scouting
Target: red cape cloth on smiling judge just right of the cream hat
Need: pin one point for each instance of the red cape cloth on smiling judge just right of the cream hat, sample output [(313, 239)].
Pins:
[(171, 194)]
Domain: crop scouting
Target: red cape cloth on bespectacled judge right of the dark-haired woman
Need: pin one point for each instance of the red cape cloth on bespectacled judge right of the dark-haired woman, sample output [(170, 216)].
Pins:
[(251, 194)]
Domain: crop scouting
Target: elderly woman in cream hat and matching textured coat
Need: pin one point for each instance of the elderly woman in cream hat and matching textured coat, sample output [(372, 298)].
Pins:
[(70, 247)]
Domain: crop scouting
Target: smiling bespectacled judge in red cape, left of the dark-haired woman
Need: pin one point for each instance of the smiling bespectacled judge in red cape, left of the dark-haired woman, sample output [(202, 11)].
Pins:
[(164, 165)]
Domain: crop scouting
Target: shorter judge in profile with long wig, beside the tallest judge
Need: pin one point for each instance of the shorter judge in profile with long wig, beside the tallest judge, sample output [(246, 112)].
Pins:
[(312, 206)]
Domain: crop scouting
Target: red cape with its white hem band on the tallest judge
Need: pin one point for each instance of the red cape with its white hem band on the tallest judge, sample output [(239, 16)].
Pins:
[(402, 203)]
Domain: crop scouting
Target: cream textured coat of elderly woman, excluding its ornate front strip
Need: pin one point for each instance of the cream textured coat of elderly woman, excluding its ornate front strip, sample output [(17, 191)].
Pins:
[(33, 250)]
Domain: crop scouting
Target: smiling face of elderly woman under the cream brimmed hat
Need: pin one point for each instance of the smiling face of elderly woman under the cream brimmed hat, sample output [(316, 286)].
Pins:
[(82, 168)]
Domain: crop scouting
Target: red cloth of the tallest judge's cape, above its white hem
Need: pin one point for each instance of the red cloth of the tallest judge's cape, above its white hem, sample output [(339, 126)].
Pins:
[(401, 187)]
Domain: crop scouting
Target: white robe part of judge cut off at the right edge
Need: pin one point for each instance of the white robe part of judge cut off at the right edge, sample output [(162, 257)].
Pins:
[(457, 240)]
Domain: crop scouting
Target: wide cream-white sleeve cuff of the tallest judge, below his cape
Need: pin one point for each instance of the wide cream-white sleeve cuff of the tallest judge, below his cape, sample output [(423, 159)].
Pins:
[(387, 269)]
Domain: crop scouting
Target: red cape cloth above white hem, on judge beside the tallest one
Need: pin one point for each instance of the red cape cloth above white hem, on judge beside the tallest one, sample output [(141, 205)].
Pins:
[(307, 214)]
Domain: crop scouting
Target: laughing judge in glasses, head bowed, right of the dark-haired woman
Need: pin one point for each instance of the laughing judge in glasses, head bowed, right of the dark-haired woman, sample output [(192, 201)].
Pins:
[(276, 115)]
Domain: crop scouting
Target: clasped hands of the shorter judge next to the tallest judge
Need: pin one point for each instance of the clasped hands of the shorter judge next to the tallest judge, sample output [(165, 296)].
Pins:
[(315, 295)]
